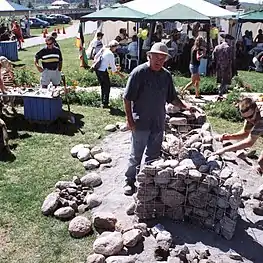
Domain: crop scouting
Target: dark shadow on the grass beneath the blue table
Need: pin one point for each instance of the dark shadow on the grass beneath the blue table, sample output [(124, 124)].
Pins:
[(17, 123)]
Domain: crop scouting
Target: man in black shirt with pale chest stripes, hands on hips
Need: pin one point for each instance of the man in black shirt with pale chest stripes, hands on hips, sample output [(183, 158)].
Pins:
[(51, 63)]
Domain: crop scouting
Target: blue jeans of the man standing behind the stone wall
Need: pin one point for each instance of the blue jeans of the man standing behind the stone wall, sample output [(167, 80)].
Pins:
[(141, 141)]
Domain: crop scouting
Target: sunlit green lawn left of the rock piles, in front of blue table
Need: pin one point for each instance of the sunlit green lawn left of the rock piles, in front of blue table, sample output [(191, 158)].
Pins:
[(26, 236)]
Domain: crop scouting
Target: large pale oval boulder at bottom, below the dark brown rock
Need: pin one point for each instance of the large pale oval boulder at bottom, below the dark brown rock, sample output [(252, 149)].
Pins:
[(108, 243)]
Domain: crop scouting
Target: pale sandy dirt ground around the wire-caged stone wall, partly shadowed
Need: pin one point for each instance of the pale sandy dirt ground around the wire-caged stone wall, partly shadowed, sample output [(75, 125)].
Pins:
[(248, 240)]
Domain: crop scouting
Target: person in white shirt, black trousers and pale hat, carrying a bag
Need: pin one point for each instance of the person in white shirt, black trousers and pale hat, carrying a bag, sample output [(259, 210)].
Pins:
[(107, 60)]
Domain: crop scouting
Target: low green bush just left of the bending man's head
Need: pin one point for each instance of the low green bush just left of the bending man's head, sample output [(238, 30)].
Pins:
[(226, 109)]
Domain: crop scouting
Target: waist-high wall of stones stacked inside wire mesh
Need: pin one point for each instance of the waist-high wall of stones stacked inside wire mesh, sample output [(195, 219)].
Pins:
[(190, 184)]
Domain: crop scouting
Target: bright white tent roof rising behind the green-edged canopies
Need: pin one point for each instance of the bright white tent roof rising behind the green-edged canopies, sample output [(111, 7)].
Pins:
[(152, 7)]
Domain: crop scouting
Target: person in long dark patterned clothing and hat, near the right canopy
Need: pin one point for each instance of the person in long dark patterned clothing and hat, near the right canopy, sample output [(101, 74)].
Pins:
[(223, 57)]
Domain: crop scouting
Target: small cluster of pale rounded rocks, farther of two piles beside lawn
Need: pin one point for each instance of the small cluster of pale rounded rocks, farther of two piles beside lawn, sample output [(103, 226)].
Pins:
[(91, 157)]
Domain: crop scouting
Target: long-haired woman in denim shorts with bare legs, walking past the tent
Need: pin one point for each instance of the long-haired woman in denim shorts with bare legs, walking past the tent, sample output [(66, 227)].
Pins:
[(197, 52)]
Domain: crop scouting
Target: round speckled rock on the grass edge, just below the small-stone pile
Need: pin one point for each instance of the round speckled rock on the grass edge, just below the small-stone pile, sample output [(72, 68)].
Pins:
[(79, 226)]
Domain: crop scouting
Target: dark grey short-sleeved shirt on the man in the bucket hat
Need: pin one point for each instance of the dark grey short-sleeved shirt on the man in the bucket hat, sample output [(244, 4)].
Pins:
[(149, 91)]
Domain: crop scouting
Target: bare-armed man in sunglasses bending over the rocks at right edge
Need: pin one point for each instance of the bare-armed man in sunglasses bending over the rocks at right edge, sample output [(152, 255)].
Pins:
[(252, 130)]
